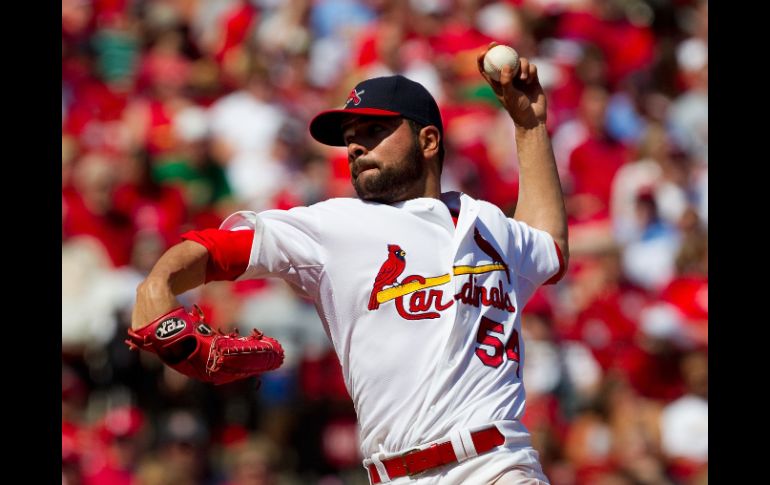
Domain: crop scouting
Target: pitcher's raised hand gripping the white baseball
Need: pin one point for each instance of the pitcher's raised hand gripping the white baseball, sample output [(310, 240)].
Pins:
[(522, 96)]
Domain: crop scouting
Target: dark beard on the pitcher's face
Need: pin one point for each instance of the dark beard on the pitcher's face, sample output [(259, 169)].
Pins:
[(392, 183)]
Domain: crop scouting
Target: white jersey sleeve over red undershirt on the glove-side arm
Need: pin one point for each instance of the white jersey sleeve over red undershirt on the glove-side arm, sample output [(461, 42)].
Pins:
[(286, 244)]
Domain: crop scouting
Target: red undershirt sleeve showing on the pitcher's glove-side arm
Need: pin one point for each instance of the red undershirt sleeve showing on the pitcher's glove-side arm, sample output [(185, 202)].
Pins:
[(229, 252)]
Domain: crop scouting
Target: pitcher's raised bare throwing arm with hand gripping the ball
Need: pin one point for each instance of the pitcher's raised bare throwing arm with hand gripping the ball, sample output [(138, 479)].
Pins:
[(541, 202)]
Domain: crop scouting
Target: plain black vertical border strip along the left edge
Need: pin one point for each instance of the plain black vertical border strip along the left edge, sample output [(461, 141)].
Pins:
[(30, 90)]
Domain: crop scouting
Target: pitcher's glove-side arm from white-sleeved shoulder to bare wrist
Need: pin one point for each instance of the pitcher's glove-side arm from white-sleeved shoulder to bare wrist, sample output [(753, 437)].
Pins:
[(273, 243)]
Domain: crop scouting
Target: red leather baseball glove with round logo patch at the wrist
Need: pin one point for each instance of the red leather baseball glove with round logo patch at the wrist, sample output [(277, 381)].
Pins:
[(186, 343)]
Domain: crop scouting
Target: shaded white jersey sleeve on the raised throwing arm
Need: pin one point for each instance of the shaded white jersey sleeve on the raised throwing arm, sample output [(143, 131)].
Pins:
[(539, 259)]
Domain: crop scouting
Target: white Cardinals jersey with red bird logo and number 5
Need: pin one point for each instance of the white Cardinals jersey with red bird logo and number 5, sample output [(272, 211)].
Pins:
[(424, 316)]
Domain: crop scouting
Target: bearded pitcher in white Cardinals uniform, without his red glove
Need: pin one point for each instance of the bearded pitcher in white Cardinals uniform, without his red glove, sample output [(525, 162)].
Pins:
[(420, 291)]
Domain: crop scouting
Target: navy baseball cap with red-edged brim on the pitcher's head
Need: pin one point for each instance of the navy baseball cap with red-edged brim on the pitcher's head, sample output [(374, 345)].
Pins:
[(379, 96)]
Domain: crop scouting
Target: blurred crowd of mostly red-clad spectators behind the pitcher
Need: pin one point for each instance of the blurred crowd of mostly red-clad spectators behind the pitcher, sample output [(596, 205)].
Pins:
[(176, 113)]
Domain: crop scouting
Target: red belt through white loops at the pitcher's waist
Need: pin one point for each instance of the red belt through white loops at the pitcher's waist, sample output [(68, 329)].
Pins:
[(437, 454)]
